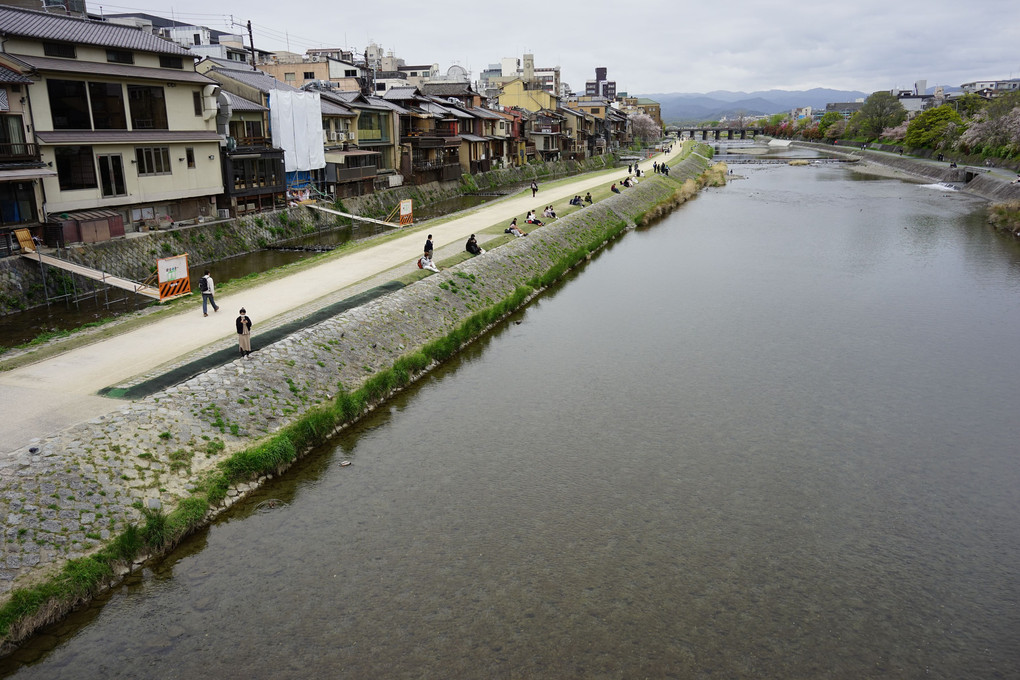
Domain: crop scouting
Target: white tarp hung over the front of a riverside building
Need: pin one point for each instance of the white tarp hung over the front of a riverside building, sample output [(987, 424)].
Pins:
[(296, 121)]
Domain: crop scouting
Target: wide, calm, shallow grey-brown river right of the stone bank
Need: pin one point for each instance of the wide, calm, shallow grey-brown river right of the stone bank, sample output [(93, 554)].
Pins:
[(775, 436)]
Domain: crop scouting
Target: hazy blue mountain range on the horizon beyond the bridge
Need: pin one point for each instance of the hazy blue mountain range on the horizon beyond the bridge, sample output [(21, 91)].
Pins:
[(692, 108)]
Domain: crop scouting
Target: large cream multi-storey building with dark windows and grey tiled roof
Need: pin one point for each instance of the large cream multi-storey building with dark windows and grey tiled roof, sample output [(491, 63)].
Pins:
[(122, 116)]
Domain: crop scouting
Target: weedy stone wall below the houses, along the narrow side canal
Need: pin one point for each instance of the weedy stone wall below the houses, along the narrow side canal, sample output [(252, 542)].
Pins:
[(135, 256)]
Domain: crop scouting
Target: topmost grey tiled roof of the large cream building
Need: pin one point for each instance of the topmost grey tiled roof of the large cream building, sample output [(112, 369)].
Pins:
[(42, 26)]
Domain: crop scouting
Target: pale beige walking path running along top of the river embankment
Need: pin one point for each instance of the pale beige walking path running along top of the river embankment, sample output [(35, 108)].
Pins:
[(52, 395)]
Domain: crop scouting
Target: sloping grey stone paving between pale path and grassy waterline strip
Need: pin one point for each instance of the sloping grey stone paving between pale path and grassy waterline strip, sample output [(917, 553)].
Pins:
[(67, 496)]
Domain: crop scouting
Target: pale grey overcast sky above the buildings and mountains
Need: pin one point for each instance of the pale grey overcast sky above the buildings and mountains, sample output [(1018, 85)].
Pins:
[(654, 46)]
